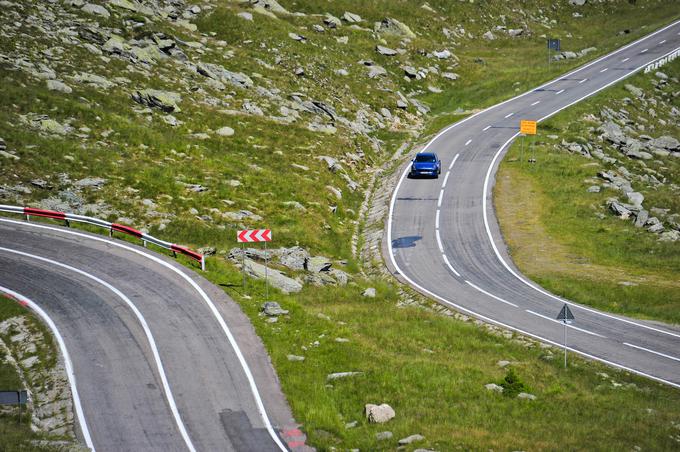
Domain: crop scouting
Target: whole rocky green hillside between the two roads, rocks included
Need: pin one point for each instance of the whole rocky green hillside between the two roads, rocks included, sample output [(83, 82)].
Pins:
[(195, 120)]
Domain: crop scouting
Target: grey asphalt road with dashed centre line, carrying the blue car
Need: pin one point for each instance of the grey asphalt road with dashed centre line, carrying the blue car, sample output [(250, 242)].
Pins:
[(443, 236)]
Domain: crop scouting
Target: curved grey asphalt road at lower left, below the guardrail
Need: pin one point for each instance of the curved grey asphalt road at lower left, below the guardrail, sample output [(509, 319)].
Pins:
[(149, 343)]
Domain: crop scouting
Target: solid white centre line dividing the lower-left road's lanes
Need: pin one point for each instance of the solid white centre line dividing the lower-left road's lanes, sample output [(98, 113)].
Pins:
[(149, 337)]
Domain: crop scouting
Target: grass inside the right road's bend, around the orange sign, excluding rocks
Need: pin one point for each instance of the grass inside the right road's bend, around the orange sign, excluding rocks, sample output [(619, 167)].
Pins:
[(591, 260)]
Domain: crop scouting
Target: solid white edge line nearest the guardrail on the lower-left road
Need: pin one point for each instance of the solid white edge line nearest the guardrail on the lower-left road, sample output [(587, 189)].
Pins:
[(209, 302)]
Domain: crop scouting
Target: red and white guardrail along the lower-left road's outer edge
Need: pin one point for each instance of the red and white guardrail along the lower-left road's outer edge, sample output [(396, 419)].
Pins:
[(112, 227)]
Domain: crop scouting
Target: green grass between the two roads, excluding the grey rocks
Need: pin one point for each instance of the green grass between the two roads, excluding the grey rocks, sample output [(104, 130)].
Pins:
[(439, 394)]
